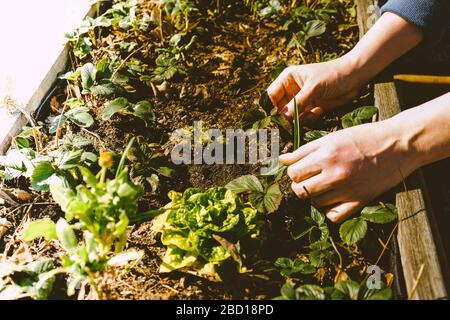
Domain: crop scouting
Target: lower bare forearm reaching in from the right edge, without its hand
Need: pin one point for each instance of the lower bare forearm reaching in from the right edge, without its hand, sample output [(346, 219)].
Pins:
[(425, 131)]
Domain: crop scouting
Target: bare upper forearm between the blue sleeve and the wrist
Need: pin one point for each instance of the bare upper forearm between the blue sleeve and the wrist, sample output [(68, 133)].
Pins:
[(389, 39)]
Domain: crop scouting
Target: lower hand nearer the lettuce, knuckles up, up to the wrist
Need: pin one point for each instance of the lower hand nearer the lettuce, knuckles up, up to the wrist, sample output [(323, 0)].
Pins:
[(346, 169)]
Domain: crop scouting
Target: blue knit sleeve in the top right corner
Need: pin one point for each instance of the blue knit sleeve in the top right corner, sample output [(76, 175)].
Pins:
[(432, 16)]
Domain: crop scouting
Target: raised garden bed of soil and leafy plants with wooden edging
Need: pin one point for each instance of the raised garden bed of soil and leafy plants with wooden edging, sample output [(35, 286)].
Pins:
[(94, 167)]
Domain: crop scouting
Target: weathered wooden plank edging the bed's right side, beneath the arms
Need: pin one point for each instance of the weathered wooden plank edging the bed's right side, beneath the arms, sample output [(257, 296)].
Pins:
[(419, 242)]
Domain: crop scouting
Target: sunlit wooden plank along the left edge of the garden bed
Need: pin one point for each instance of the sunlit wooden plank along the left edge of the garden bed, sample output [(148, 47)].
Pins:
[(14, 117)]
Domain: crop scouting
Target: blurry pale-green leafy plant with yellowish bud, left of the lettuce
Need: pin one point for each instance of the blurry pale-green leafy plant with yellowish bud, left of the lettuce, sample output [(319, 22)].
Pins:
[(100, 211)]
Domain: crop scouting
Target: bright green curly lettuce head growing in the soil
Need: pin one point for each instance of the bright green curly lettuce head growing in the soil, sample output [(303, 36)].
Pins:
[(205, 230)]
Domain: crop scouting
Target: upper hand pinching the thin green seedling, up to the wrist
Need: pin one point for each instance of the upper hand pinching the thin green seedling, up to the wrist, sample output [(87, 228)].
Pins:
[(317, 87)]
